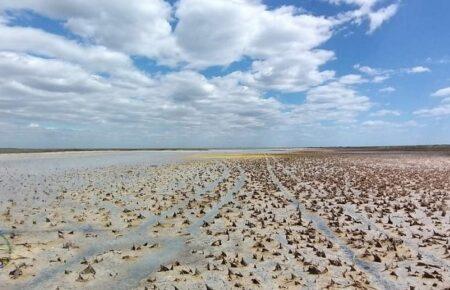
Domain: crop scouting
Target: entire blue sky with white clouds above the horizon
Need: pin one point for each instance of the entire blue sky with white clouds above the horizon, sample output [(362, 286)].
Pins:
[(224, 73)]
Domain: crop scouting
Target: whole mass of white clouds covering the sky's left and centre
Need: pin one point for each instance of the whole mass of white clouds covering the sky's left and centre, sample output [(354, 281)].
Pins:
[(90, 83)]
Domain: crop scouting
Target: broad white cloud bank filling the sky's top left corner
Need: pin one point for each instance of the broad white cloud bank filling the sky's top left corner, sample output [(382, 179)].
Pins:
[(143, 29)]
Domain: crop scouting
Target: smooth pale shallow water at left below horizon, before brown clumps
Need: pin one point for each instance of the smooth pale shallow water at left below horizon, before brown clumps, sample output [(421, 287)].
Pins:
[(25, 174)]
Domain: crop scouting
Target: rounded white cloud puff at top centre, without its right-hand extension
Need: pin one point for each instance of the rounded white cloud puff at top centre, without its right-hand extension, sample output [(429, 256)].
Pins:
[(216, 32)]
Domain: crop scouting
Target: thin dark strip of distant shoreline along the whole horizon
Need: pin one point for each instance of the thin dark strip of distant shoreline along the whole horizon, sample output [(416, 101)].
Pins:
[(439, 147)]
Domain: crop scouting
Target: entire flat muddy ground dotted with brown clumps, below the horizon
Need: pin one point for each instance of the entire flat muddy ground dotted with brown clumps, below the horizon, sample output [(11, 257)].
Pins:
[(315, 218)]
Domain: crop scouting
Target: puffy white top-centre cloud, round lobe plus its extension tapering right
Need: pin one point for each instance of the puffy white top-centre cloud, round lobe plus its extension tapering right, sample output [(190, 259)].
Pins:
[(244, 28)]
